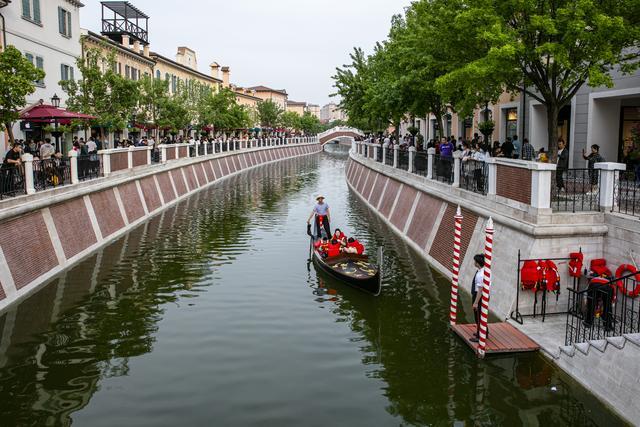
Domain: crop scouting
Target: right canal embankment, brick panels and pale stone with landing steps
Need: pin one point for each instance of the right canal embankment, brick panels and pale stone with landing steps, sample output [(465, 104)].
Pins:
[(421, 211)]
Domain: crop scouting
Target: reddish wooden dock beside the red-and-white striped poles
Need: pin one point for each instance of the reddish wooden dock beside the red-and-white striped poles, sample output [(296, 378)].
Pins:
[(503, 338)]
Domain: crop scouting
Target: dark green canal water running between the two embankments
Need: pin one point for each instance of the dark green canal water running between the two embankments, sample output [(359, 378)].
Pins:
[(210, 314)]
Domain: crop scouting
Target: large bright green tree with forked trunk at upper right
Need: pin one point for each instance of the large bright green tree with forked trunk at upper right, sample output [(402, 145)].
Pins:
[(550, 49)]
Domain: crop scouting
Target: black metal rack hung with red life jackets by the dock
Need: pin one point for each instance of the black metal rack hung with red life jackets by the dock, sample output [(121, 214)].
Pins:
[(542, 275)]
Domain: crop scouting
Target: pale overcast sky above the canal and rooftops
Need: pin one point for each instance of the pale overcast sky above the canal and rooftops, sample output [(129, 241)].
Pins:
[(284, 44)]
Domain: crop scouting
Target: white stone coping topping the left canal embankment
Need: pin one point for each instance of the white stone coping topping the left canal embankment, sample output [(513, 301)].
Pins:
[(10, 208)]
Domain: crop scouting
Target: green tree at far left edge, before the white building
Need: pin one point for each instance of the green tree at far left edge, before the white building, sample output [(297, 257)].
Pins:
[(17, 77)]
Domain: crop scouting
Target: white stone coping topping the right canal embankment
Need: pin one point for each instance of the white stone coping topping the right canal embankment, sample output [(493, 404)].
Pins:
[(534, 222)]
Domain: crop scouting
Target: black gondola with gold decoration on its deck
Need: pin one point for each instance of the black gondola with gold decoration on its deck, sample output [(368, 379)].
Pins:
[(352, 269)]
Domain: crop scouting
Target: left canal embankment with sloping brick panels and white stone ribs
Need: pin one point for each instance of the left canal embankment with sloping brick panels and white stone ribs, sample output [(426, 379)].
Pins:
[(45, 233)]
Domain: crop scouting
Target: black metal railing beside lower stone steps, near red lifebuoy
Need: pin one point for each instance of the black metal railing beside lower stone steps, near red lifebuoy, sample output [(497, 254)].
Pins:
[(603, 310)]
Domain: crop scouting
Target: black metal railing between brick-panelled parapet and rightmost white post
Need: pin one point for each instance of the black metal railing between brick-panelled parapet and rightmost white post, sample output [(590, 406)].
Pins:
[(576, 190)]
